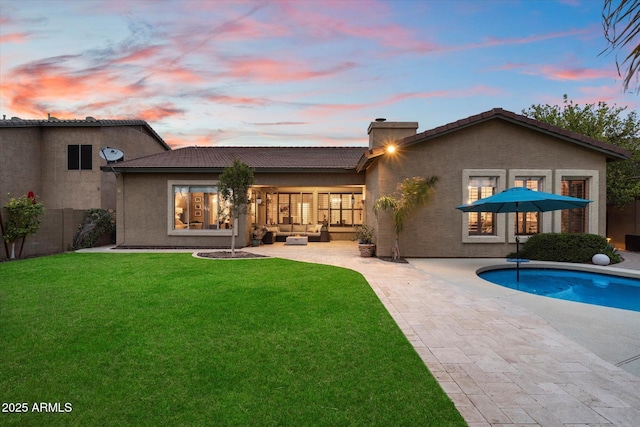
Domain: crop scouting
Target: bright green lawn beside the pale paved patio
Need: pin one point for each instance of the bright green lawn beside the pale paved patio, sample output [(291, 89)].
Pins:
[(167, 339)]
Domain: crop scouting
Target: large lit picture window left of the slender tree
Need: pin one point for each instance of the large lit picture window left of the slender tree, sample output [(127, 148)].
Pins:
[(199, 208)]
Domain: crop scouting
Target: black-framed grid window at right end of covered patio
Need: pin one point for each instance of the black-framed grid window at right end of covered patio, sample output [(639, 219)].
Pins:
[(340, 209)]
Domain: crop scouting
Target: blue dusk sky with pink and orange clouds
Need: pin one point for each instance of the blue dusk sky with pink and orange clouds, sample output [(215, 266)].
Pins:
[(312, 73)]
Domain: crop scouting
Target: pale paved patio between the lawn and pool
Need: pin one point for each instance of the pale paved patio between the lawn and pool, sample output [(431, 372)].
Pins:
[(504, 357)]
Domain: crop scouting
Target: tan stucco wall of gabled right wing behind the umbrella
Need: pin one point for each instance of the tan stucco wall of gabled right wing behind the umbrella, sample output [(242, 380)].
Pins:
[(436, 230)]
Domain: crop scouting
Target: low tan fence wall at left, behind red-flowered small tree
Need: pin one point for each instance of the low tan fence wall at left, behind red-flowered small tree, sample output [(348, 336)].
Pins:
[(55, 234)]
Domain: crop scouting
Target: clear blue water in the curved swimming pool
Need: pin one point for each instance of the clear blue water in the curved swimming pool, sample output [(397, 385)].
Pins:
[(571, 285)]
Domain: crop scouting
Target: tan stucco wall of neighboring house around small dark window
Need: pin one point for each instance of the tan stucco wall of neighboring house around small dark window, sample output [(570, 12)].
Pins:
[(34, 158)]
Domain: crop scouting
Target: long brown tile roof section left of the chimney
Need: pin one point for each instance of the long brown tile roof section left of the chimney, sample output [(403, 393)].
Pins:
[(262, 159)]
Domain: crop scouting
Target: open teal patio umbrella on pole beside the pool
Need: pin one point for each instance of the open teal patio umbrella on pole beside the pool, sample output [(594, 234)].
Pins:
[(521, 199)]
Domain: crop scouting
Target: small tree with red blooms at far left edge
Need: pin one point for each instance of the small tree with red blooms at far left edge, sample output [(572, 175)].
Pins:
[(24, 220)]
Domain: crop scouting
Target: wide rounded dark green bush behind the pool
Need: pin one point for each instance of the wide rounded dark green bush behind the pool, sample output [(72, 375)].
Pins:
[(559, 247)]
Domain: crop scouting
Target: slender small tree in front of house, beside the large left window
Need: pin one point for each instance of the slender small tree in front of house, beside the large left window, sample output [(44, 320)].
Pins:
[(234, 185)]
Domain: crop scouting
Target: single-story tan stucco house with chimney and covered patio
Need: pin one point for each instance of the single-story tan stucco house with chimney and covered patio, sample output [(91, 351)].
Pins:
[(170, 199)]
